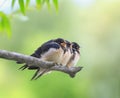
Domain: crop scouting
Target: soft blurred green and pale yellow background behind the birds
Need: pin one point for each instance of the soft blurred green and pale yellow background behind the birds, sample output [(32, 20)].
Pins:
[(96, 27)]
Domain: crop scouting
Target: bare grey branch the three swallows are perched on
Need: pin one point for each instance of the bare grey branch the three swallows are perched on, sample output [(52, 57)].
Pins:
[(35, 61)]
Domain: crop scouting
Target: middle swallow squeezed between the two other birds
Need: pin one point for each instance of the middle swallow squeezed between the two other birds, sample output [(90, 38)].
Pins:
[(67, 55)]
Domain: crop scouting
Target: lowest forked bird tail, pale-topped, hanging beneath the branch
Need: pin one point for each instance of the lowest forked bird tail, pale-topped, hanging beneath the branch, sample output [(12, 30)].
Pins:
[(39, 73)]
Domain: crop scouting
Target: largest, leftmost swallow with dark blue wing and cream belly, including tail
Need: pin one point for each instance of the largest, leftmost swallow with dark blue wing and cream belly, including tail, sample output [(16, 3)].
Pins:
[(52, 51)]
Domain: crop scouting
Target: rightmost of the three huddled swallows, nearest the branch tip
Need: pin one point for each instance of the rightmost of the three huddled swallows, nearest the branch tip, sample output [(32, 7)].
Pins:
[(75, 55)]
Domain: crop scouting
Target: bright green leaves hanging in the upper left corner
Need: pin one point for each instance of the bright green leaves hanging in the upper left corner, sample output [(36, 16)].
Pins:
[(23, 5)]
